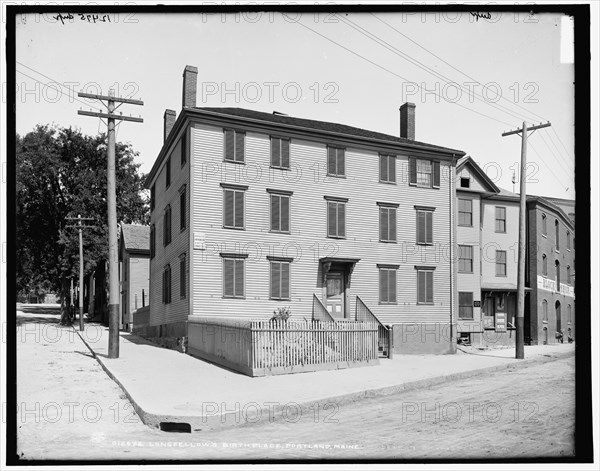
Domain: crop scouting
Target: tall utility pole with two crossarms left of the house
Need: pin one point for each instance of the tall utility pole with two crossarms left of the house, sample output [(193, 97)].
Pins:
[(113, 267)]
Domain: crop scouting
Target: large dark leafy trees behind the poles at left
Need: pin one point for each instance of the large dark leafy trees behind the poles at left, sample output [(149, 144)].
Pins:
[(62, 173)]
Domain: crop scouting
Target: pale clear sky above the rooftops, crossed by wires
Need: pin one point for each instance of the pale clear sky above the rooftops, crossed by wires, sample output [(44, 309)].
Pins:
[(470, 78)]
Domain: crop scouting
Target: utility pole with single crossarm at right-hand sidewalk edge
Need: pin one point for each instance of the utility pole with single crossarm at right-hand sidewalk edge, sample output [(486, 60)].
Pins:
[(520, 340)]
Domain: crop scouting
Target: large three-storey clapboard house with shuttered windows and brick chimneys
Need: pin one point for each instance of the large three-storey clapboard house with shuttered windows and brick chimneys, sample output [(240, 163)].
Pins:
[(253, 211)]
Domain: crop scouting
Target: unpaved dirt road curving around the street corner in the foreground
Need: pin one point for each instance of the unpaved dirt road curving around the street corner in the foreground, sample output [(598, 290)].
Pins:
[(70, 409)]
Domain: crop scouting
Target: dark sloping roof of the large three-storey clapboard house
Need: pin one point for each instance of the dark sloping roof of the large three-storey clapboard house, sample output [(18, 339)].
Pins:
[(320, 126)]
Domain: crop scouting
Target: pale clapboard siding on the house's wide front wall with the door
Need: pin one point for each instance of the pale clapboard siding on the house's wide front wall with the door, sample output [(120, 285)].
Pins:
[(307, 241)]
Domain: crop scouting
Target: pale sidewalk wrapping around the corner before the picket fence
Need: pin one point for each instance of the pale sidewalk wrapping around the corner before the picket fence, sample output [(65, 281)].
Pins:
[(168, 386)]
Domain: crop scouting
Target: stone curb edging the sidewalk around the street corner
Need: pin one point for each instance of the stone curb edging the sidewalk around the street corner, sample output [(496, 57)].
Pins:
[(200, 423)]
